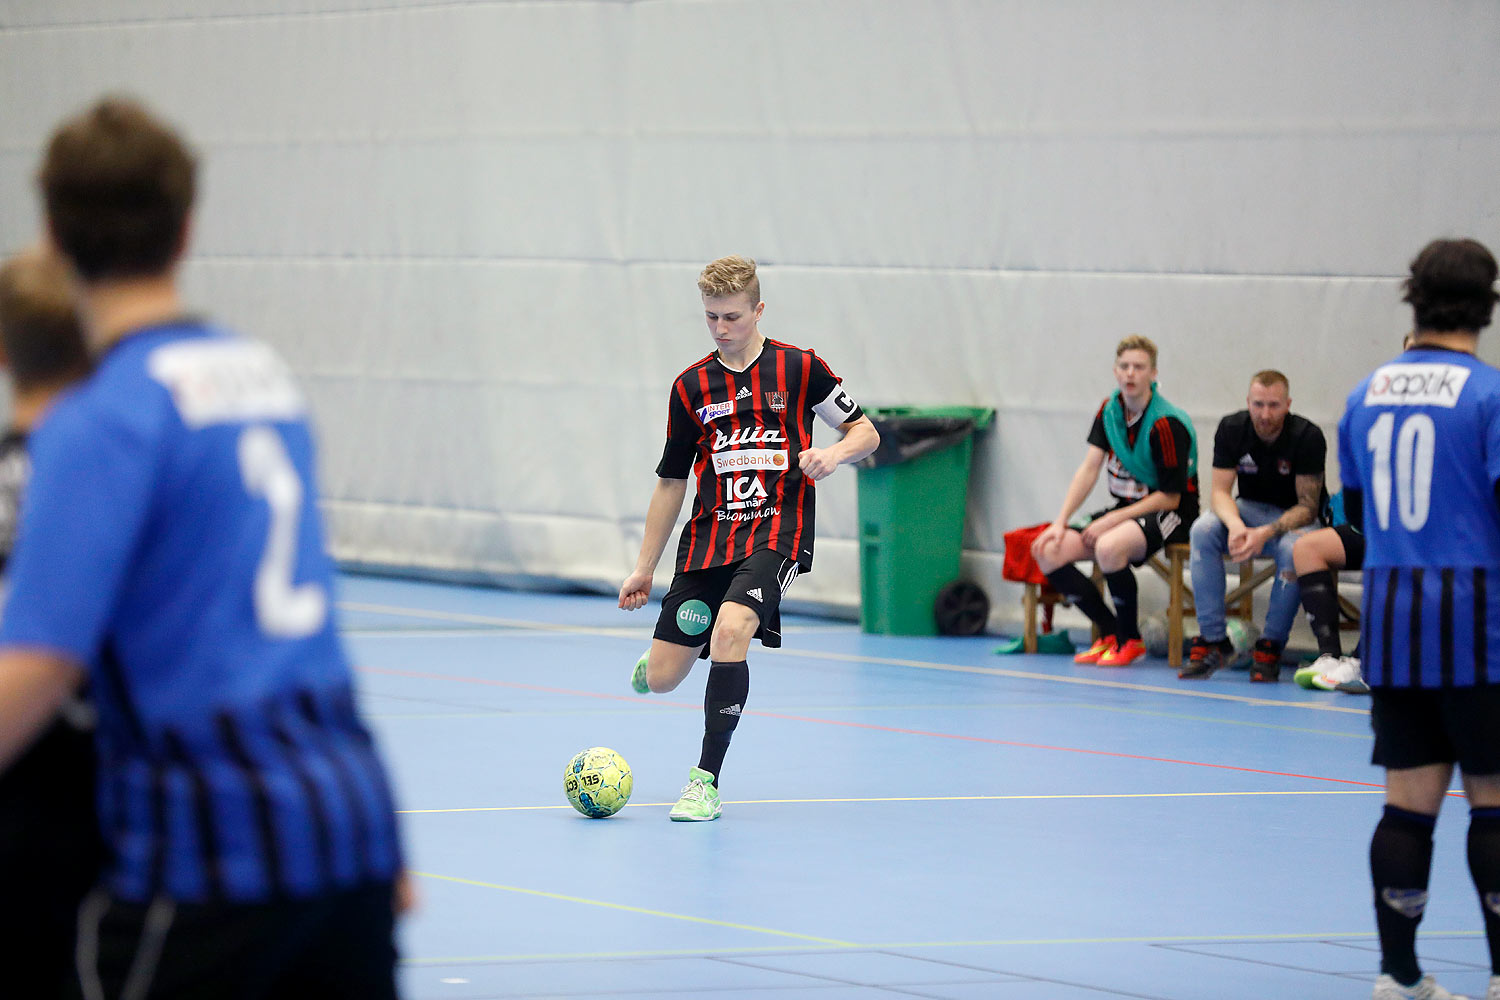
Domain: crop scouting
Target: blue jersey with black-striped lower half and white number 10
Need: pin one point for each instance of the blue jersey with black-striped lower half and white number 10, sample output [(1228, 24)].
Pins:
[(1421, 440)]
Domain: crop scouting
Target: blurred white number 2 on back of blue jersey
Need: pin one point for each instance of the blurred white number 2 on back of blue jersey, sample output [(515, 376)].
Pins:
[(283, 609)]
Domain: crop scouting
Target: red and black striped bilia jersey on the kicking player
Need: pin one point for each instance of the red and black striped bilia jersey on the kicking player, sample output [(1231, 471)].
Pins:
[(740, 434)]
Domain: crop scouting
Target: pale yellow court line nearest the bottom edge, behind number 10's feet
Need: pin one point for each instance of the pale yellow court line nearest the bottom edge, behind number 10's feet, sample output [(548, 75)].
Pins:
[(1009, 942)]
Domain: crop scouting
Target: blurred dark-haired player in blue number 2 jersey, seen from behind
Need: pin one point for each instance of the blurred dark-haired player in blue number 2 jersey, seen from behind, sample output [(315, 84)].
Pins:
[(172, 548)]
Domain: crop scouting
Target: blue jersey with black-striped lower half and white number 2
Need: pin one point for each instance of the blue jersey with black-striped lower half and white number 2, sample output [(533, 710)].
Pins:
[(172, 542)]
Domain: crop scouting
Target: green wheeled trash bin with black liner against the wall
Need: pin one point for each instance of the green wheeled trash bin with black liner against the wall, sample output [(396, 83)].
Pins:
[(913, 497)]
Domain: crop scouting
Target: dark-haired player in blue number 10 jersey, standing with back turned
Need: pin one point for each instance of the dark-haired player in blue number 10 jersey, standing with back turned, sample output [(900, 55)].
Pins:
[(1420, 455)]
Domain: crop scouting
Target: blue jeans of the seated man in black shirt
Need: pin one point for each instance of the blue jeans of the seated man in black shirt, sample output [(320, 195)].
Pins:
[(1210, 548)]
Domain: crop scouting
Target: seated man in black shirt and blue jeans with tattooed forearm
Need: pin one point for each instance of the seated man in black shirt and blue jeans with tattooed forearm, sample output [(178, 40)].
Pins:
[(1277, 460)]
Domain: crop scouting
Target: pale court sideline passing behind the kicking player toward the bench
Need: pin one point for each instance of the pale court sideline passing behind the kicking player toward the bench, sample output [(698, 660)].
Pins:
[(892, 662)]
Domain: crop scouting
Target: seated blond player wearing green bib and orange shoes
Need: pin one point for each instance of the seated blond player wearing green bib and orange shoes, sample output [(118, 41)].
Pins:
[(1154, 482)]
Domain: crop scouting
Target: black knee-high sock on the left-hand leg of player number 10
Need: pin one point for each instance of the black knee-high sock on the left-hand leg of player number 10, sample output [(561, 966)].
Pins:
[(1400, 864)]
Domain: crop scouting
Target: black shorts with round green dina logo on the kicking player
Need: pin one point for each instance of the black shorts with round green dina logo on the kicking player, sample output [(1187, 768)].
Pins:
[(691, 606)]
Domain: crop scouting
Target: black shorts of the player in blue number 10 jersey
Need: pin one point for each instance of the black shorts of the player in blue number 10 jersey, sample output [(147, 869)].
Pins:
[(1430, 726)]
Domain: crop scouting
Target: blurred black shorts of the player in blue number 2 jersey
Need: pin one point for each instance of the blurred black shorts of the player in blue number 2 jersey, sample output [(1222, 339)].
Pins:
[(334, 947)]
